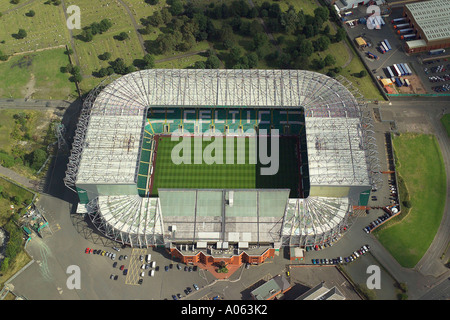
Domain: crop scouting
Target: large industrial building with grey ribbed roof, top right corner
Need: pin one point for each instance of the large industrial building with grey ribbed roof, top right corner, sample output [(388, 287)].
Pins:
[(430, 21)]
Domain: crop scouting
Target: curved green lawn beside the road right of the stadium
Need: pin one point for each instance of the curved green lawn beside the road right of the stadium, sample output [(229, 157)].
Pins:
[(421, 166)]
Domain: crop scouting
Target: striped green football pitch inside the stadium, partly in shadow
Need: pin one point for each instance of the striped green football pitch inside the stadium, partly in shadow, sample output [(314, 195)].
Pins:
[(239, 168)]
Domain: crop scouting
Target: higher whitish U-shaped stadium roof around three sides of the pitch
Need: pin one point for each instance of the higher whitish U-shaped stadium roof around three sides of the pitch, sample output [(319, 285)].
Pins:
[(112, 137)]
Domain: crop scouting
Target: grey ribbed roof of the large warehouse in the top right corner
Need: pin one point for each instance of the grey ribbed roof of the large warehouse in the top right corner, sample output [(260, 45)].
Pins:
[(433, 17)]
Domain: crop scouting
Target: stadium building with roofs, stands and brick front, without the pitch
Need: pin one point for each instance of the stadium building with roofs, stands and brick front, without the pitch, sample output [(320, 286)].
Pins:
[(205, 226)]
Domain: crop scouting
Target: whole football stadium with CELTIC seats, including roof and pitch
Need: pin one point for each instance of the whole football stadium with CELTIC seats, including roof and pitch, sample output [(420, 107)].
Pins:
[(122, 161)]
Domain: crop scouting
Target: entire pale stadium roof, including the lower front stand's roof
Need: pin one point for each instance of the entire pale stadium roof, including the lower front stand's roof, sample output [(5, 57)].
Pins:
[(107, 145)]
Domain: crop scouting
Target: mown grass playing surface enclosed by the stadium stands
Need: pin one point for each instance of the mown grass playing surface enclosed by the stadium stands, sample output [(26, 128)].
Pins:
[(247, 175)]
